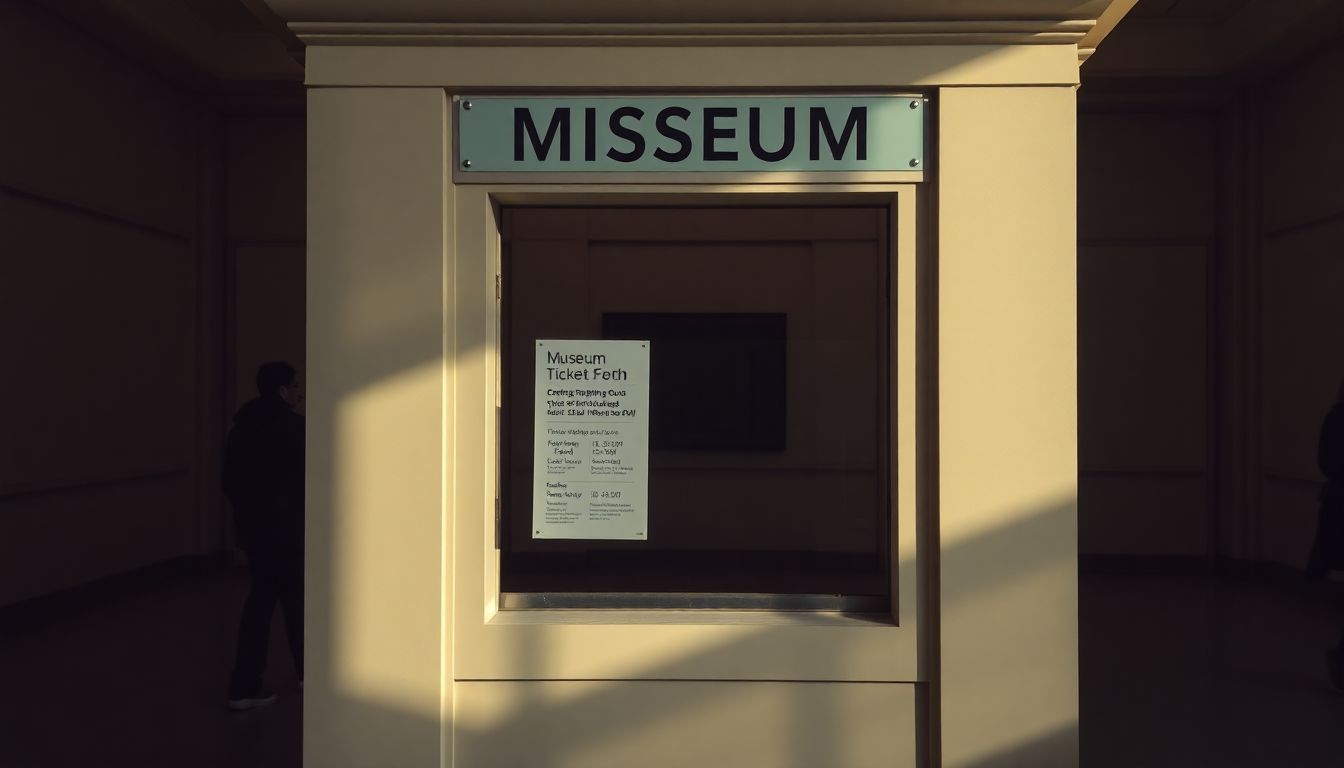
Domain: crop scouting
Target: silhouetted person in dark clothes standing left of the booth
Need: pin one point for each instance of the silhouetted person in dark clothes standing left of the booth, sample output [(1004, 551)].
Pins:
[(264, 479)]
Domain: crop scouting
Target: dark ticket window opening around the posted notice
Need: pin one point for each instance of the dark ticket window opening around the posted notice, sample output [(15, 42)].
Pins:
[(768, 419)]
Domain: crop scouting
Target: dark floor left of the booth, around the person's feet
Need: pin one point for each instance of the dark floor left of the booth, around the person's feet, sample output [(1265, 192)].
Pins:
[(142, 681)]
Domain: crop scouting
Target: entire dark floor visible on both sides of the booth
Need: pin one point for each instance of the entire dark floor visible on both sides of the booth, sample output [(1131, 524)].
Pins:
[(1179, 672)]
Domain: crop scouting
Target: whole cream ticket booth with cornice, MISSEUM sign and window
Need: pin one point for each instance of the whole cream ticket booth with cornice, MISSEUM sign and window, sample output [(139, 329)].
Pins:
[(691, 388)]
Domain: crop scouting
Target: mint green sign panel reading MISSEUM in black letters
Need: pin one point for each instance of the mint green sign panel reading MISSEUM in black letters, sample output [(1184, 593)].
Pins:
[(690, 134)]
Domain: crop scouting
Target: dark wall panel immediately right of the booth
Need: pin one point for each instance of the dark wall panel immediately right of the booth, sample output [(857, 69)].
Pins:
[(1147, 228)]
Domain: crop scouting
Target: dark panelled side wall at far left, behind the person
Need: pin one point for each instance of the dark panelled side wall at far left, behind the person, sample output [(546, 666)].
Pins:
[(106, 461)]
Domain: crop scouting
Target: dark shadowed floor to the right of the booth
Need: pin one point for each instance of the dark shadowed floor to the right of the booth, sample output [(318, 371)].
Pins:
[(1189, 672)]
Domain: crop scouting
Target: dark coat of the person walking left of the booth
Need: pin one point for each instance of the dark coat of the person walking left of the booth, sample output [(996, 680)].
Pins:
[(264, 475)]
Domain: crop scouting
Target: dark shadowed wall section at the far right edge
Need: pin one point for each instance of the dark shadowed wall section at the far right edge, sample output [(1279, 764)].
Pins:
[(1303, 293)]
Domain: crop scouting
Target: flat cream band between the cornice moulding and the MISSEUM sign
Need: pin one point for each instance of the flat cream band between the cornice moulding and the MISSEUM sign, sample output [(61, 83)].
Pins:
[(592, 69)]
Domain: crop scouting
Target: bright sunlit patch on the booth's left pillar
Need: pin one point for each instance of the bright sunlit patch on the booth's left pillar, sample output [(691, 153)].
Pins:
[(385, 543)]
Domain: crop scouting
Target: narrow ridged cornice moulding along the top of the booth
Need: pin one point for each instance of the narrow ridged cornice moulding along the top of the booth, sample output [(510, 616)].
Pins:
[(788, 34)]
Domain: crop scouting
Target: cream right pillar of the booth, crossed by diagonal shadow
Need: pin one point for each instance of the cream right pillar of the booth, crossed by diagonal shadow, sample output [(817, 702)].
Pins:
[(1007, 428)]
